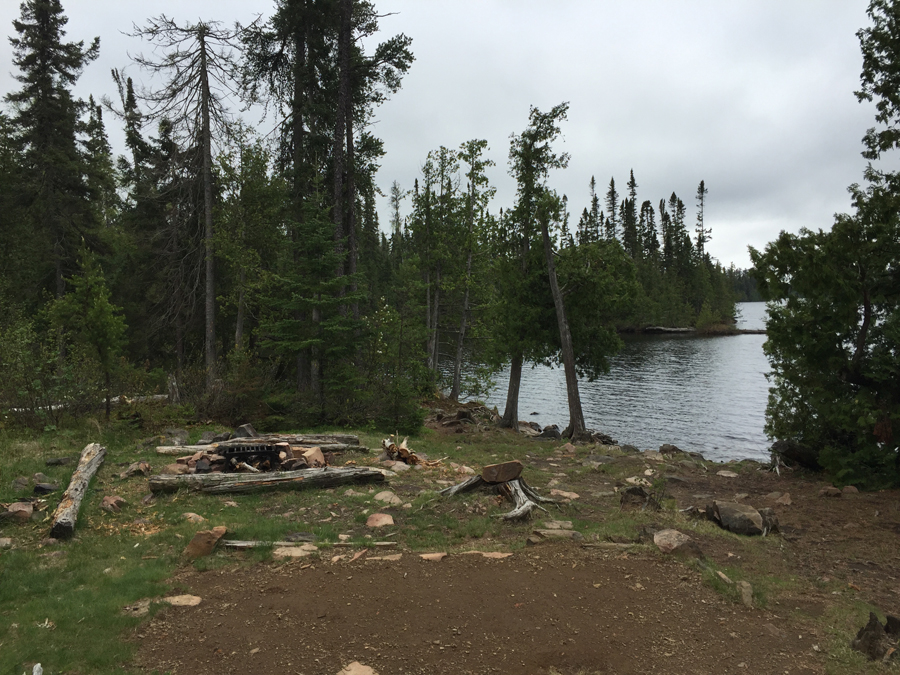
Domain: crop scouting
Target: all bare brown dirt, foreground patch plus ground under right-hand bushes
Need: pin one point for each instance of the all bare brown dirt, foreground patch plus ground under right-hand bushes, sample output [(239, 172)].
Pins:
[(556, 608)]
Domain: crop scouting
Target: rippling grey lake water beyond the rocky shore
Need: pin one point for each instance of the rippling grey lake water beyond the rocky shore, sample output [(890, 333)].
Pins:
[(703, 394)]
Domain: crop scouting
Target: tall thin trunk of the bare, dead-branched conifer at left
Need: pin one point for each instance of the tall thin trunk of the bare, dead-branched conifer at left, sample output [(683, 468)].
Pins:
[(206, 133)]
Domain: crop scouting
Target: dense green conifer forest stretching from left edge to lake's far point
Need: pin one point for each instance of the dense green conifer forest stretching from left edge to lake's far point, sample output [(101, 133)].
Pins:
[(249, 276)]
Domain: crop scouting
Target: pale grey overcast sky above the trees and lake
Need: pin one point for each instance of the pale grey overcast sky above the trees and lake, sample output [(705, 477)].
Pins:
[(755, 97)]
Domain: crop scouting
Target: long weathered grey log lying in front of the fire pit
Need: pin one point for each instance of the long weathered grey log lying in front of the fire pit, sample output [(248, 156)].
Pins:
[(232, 483)]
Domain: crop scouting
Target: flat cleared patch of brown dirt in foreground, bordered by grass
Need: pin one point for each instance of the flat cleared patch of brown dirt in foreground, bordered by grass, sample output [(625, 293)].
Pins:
[(555, 609)]
